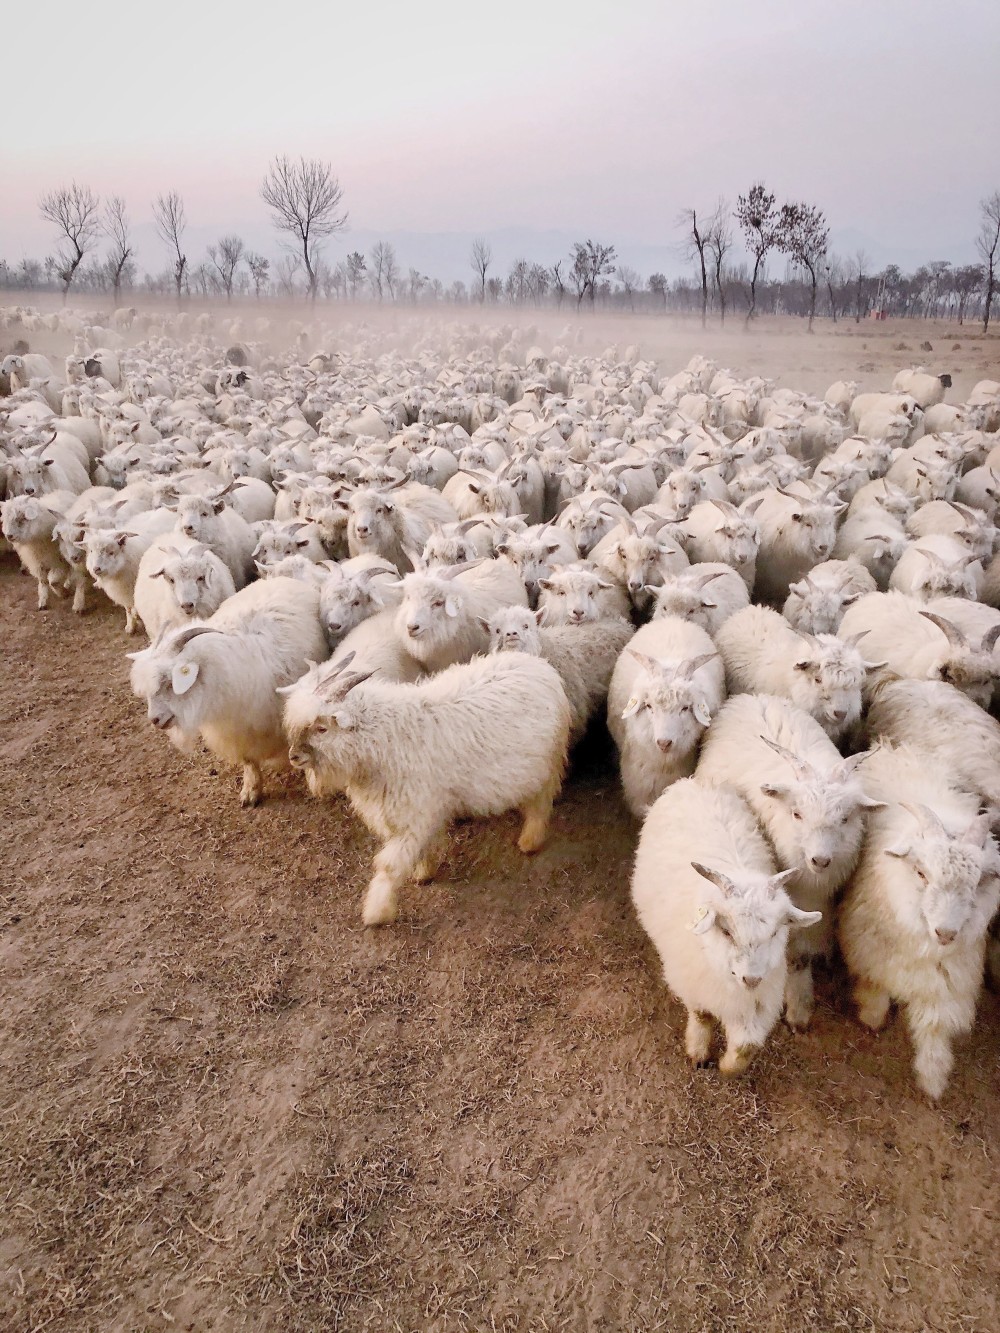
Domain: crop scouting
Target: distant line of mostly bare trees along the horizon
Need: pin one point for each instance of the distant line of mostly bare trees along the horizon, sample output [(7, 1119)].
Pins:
[(95, 255)]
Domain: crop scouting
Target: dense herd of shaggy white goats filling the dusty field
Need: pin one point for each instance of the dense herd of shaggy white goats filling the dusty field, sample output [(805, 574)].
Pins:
[(419, 575)]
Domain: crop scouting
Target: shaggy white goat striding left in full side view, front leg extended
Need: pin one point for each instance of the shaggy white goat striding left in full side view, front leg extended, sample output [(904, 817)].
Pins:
[(406, 759)]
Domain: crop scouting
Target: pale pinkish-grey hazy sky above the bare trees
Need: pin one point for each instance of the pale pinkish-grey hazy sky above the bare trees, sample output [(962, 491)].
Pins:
[(570, 118)]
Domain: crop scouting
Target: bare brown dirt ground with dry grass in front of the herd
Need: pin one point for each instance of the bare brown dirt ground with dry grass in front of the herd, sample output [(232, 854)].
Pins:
[(227, 1106)]
